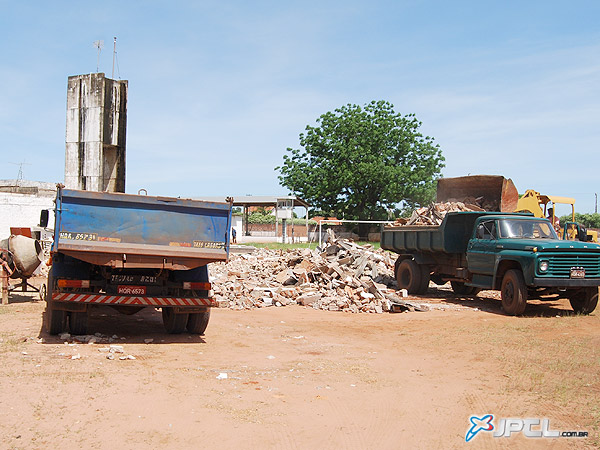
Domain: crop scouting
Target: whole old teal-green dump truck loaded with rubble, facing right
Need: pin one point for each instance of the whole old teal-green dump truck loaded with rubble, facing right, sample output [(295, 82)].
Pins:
[(517, 254)]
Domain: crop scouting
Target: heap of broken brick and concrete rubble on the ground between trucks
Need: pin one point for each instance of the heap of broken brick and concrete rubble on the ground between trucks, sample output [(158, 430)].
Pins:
[(341, 276)]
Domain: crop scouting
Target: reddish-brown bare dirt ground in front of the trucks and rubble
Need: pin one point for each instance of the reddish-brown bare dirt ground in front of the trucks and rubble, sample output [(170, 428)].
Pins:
[(299, 378)]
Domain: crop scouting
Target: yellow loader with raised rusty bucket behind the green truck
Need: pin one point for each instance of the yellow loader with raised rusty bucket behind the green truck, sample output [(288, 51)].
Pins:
[(496, 193)]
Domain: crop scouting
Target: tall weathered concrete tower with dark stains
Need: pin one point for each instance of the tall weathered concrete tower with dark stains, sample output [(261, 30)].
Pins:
[(95, 139)]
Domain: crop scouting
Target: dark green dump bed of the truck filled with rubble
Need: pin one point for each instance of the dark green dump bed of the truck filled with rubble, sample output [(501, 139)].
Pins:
[(451, 236)]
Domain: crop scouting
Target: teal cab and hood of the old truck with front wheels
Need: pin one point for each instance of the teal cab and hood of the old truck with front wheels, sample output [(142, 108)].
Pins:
[(523, 257)]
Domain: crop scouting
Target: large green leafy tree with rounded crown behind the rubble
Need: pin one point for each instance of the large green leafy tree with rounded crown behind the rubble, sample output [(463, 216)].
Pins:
[(360, 162)]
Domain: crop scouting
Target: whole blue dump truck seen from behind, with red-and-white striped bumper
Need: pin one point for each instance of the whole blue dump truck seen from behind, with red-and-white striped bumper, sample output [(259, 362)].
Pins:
[(131, 252)]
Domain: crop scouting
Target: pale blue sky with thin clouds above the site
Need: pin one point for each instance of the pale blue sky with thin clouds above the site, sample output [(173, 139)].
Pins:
[(218, 90)]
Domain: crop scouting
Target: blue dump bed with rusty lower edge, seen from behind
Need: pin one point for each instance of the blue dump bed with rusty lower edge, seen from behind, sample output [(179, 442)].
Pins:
[(138, 231)]
